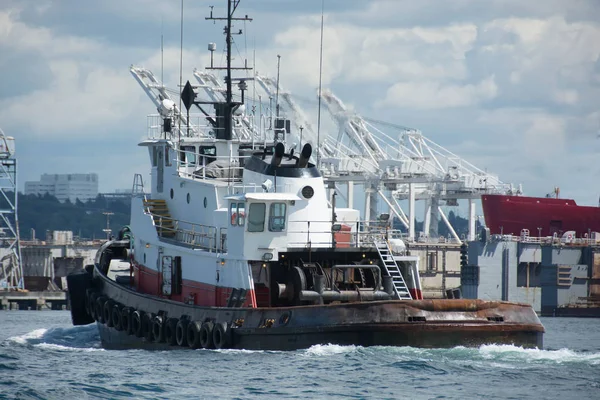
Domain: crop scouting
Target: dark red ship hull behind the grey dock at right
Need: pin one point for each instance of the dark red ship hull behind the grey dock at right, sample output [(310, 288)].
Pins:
[(511, 214)]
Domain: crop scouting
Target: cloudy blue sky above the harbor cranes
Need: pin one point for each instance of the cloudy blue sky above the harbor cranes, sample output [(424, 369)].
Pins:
[(511, 86)]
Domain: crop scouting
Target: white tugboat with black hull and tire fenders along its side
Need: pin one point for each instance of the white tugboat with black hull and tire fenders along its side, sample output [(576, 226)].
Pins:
[(236, 245)]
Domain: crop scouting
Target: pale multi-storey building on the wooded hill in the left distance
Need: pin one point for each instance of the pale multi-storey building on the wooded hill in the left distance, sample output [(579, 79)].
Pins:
[(65, 186)]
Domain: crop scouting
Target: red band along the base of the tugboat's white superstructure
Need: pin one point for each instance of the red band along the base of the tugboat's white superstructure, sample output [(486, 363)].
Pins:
[(149, 281)]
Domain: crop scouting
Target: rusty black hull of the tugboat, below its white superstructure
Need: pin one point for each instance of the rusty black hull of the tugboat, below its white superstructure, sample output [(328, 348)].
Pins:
[(417, 323)]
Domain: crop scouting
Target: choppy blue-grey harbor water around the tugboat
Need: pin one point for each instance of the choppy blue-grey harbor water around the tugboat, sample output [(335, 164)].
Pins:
[(43, 357)]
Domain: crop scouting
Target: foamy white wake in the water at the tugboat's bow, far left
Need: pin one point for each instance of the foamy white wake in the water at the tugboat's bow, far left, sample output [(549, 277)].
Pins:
[(80, 338)]
